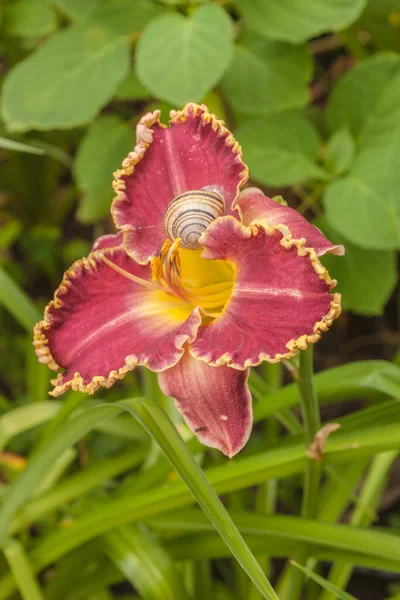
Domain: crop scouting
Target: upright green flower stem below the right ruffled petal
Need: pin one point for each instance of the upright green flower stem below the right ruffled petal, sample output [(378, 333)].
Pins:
[(312, 423)]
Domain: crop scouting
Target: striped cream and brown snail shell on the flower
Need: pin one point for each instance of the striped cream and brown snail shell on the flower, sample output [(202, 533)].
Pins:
[(189, 214)]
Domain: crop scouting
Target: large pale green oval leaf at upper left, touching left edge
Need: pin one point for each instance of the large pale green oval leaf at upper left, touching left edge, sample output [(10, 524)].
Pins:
[(63, 84)]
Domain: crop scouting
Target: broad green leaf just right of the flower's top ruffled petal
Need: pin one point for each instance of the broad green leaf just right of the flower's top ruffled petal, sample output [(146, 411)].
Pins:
[(280, 149)]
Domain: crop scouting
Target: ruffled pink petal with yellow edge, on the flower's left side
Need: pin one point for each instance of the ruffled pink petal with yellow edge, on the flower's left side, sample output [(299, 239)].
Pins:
[(100, 324)]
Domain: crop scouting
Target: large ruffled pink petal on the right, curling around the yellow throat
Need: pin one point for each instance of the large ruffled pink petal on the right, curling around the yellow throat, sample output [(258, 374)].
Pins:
[(280, 301)]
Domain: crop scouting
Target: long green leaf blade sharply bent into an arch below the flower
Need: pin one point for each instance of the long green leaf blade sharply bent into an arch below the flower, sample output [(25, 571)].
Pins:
[(158, 425)]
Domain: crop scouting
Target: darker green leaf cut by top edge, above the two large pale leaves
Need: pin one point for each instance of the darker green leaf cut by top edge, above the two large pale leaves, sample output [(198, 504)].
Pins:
[(124, 17)]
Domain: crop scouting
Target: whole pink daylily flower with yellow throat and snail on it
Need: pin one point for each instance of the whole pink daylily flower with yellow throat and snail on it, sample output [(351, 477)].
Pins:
[(201, 283)]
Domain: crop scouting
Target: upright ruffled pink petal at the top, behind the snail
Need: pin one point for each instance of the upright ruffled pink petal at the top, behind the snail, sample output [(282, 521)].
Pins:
[(196, 151)]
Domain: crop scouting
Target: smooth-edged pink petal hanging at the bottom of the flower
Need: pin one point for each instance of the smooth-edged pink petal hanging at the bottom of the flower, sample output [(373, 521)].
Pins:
[(214, 401)]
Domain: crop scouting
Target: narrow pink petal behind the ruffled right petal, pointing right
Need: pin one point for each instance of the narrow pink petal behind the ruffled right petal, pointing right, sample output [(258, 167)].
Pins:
[(255, 207)]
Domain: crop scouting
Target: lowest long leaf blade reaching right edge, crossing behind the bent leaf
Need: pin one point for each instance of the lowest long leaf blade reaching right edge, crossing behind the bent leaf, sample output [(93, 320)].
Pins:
[(283, 533)]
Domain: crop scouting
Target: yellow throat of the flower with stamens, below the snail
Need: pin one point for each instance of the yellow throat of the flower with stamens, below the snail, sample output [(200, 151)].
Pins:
[(197, 281)]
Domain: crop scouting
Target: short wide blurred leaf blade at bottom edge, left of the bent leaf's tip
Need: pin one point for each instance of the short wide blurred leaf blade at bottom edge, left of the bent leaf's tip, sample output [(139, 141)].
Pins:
[(145, 563)]
